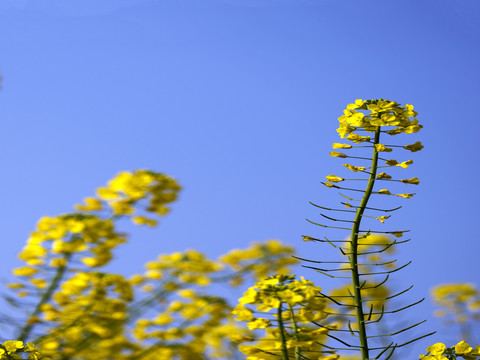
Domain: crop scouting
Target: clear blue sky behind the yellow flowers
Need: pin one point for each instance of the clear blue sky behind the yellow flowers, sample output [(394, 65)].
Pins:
[(239, 100)]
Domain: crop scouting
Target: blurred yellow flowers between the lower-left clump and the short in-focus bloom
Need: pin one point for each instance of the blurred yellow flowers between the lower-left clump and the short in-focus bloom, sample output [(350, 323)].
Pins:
[(191, 322)]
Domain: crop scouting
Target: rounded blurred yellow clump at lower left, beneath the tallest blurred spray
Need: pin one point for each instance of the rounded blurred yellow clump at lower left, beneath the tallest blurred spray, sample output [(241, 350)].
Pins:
[(88, 307)]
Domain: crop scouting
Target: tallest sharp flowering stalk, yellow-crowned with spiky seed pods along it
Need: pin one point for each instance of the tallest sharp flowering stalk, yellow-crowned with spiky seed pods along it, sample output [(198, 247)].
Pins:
[(366, 299)]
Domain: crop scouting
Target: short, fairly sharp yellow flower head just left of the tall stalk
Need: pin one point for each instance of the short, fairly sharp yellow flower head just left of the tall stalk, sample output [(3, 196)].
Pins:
[(295, 302)]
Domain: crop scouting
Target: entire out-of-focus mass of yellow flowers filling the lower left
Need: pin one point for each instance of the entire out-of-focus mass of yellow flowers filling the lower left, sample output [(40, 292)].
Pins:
[(169, 311)]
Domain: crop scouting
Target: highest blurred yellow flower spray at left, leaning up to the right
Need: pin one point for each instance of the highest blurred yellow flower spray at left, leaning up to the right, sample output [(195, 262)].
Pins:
[(90, 234)]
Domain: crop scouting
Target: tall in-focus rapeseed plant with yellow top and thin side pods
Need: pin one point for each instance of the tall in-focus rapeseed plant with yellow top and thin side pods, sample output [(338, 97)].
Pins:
[(364, 125)]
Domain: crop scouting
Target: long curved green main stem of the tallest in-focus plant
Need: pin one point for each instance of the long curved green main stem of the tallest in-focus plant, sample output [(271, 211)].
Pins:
[(354, 251)]
